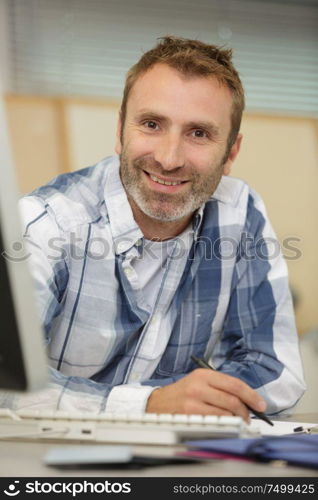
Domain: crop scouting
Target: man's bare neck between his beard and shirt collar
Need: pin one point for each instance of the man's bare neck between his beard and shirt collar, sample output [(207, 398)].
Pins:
[(158, 230)]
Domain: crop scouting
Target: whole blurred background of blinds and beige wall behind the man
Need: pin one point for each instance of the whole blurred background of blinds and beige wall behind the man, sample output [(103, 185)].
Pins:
[(63, 65)]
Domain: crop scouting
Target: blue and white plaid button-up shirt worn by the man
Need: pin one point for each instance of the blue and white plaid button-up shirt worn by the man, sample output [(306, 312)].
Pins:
[(226, 297)]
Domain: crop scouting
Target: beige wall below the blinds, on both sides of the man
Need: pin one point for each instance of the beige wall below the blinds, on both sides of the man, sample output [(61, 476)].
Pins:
[(278, 158)]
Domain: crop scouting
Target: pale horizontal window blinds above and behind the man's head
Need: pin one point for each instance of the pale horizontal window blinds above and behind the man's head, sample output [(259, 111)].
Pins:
[(84, 48)]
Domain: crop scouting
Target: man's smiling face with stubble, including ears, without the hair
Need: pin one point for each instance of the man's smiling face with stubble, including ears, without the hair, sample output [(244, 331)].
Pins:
[(174, 142)]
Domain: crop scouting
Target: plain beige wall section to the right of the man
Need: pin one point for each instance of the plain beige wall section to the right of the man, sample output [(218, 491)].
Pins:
[(279, 159)]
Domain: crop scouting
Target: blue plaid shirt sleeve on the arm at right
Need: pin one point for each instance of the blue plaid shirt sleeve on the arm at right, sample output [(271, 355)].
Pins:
[(260, 342)]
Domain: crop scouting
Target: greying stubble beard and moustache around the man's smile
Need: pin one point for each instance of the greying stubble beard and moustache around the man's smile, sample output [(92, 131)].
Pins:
[(163, 206)]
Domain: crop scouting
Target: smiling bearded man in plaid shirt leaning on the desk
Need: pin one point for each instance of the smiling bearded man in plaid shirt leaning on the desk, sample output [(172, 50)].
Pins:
[(155, 255)]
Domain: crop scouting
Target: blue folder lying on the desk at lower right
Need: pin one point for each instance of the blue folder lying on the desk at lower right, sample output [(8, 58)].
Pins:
[(296, 450)]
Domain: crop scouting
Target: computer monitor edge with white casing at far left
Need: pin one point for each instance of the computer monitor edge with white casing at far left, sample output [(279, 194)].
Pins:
[(23, 365)]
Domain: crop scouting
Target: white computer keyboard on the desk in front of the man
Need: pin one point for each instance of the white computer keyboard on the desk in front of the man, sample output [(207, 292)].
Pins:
[(143, 428)]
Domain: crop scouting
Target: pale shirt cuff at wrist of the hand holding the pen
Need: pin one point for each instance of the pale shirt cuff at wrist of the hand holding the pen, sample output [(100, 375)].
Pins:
[(128, 398)]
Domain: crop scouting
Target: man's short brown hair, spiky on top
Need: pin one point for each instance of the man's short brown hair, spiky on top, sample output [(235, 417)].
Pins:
[(192, 58)]
